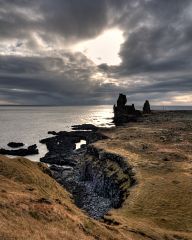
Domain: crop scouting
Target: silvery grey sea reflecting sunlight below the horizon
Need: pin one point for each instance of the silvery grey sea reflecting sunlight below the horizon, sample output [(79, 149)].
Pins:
[(31, 124)]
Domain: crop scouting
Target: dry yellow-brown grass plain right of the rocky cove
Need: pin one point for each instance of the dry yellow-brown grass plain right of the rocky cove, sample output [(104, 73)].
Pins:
[(160, 151)]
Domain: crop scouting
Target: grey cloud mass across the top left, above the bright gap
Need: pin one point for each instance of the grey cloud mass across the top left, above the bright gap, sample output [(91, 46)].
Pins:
[(69, 19)]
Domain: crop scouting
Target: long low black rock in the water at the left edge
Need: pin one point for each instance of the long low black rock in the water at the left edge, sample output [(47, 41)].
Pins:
[(31, 150)]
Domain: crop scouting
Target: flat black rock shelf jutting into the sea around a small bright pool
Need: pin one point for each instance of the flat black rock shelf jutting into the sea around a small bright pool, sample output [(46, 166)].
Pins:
[(61, 147)]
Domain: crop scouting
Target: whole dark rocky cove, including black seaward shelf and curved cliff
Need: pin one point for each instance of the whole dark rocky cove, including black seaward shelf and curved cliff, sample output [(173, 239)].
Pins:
[(98, 180)]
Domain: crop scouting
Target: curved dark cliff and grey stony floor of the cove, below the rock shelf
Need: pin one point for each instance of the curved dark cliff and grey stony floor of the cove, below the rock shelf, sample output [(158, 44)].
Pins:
[(94, 188)]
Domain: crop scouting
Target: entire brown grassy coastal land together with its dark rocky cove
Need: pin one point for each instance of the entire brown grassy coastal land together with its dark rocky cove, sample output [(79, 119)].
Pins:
[(135, 180)]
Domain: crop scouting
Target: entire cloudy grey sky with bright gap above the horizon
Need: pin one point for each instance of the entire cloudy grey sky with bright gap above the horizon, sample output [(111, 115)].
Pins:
[(83, 52)]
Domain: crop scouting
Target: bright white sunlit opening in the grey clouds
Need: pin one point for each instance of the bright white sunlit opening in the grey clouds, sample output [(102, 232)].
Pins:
[(103, 49)]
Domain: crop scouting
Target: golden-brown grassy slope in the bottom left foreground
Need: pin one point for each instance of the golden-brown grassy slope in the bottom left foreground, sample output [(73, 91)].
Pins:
[(34, 206)]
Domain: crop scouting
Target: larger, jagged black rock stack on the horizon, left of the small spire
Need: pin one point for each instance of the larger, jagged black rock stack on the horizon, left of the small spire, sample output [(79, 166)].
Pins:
[(124, 113)]
